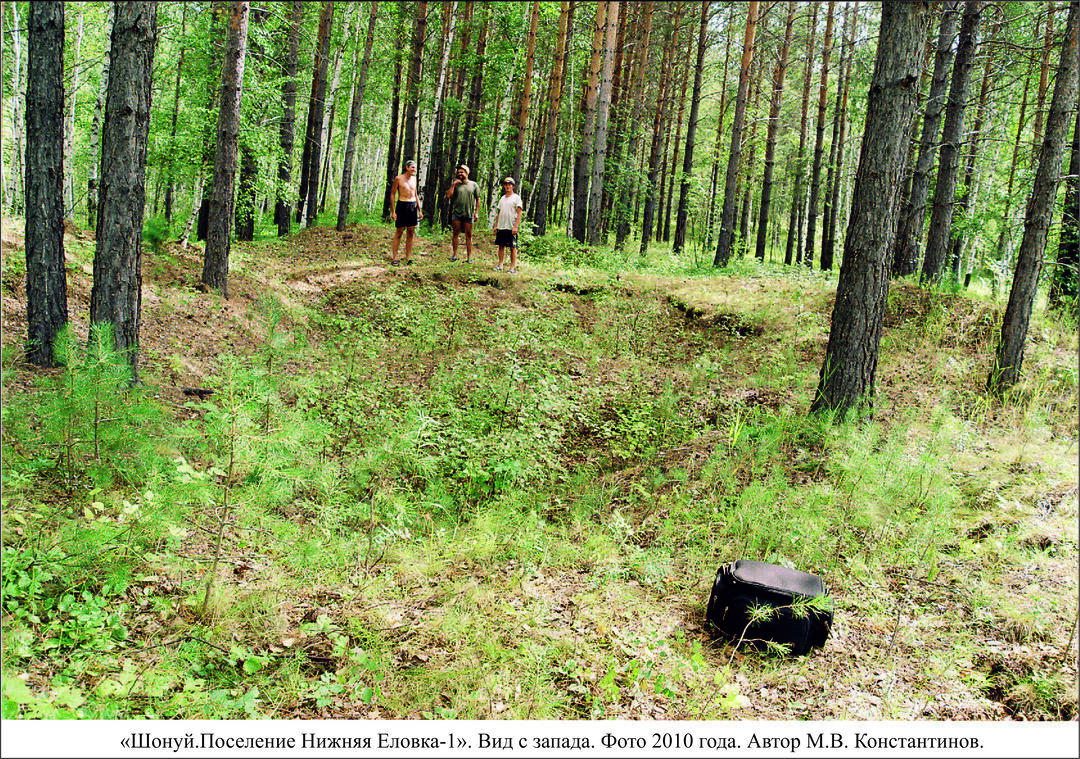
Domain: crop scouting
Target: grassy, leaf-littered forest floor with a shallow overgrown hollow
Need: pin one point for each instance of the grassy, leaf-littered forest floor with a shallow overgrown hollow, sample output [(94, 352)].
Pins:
[(443, 492)]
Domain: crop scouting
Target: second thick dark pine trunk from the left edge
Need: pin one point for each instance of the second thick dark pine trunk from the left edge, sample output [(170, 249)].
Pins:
[(116, 297)]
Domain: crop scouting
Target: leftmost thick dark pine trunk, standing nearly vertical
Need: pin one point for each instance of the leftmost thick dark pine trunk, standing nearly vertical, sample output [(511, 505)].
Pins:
[(44, 241)]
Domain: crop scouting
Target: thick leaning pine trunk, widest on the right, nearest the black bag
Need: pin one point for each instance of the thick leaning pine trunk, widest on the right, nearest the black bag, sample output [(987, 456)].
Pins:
[(847, 374)]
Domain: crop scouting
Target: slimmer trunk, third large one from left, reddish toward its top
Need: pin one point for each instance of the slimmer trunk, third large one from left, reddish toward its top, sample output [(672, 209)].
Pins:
[(217, 255)]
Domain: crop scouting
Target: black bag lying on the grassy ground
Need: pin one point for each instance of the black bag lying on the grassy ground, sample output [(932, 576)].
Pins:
[(744, 585)]
